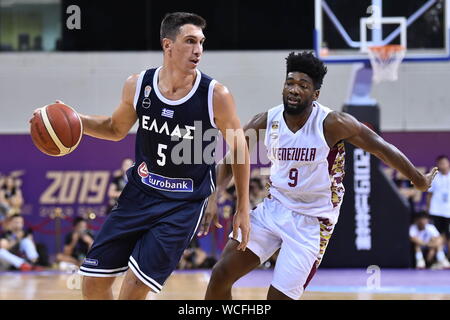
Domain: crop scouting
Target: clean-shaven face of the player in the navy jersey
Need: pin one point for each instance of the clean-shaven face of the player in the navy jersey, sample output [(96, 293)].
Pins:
[(187, 49)]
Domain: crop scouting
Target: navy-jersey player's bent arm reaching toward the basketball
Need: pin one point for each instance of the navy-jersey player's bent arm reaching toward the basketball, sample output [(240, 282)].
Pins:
[(117, 126)]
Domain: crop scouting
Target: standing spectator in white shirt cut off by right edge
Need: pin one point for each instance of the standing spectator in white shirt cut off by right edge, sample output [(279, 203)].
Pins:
[(438, 199)]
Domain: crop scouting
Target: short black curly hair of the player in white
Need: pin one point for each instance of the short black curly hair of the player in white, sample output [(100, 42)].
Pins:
[(306, 62)]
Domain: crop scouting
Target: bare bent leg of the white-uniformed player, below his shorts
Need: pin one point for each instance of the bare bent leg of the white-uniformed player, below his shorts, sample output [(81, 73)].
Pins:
[(232, 265)]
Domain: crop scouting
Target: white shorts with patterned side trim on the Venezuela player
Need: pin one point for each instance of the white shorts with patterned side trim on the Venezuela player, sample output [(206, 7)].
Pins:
[(302, 240)]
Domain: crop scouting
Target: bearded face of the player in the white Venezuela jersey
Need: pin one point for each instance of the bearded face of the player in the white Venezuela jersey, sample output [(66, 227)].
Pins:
[(298, 92)]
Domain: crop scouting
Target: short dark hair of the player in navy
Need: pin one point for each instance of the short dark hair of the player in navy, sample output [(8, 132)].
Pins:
[(170, 26)]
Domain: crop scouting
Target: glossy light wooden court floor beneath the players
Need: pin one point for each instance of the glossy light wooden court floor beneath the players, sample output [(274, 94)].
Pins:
[(180, 286)]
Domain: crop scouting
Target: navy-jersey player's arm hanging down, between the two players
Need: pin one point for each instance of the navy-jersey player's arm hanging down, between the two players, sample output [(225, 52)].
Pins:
[(228, 123)]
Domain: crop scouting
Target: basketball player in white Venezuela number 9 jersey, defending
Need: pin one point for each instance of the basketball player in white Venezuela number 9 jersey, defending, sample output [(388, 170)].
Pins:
[(305, 143)]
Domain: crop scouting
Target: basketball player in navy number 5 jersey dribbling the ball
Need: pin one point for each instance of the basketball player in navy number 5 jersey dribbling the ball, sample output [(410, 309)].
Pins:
[(164, 200)]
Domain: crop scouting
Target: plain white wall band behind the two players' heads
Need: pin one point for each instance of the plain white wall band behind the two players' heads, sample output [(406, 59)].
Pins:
[(92, 82)]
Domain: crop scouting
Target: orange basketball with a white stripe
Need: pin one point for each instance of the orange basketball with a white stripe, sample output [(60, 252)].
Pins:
[(56, 129)]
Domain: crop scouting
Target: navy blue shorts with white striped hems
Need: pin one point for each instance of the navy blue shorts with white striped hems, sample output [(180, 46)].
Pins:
[(146, 234)]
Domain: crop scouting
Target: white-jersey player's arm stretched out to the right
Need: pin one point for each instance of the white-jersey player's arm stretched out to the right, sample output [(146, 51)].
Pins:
[(343, 126)]
